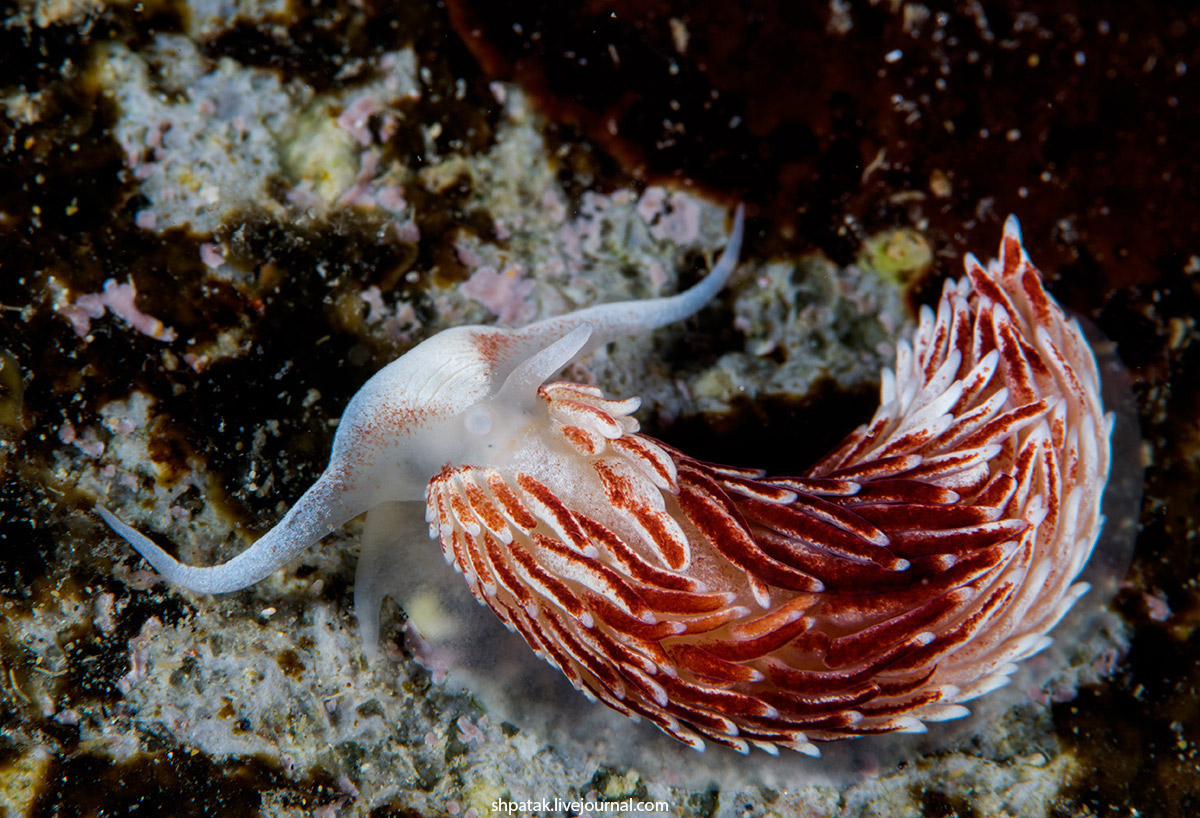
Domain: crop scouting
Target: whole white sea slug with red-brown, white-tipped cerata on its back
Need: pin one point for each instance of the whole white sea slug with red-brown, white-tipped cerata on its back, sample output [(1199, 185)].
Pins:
[(902, 576)]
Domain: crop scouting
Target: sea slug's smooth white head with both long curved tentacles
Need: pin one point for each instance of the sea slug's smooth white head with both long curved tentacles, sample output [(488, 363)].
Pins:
[(461, 398)]
